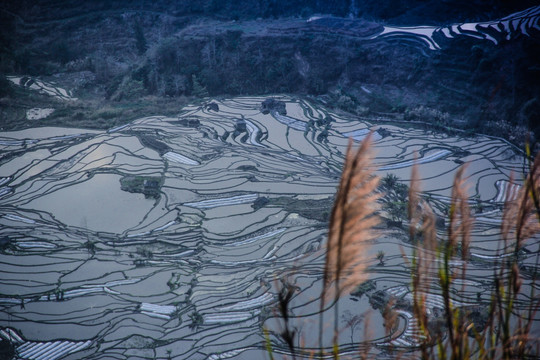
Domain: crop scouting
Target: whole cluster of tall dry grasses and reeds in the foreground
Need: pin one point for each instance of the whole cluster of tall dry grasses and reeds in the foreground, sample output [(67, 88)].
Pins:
[(500, 329)]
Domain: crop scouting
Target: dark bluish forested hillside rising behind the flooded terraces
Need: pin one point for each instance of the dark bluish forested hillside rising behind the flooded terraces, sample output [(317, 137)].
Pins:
[(120, 51)]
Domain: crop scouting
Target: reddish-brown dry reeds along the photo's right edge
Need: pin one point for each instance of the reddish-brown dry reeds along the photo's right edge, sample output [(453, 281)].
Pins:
[(520, 221)]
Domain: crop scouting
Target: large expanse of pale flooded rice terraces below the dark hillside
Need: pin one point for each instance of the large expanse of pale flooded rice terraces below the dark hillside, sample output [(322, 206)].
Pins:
[(166, 237)]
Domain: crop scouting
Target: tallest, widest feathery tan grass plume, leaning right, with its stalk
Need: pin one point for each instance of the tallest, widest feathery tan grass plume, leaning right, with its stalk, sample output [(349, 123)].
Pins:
[(350, 229)]
